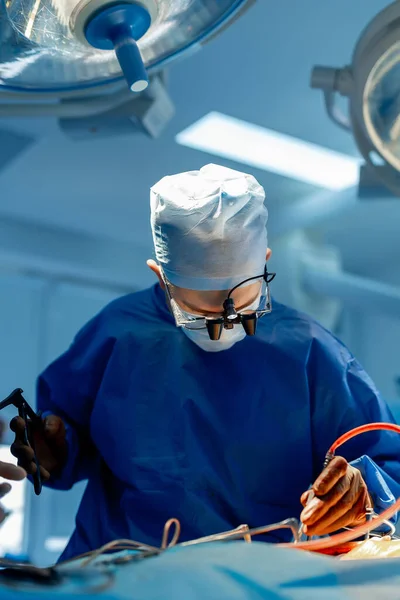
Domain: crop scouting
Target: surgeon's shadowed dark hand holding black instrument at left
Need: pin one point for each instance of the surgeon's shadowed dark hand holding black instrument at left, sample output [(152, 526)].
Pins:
[(50, 445)]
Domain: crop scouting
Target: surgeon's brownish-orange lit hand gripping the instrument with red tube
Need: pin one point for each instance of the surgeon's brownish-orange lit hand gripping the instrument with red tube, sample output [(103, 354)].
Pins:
[(341, 499)]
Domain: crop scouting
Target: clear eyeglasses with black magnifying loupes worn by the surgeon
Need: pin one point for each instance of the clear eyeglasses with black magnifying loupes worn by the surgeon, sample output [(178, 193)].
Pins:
[(230, 316)]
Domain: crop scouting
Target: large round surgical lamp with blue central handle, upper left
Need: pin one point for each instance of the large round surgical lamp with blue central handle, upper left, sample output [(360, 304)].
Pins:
[(84, 49)]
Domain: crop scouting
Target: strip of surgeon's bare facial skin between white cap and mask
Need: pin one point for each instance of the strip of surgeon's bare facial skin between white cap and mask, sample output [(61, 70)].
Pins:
[(212, 301)]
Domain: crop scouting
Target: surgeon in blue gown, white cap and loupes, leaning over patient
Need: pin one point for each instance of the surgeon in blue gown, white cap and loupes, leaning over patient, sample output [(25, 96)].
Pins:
[(202, 399)]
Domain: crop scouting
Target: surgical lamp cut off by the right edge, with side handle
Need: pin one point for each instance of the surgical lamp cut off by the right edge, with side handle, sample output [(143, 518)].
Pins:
[(372, 85)]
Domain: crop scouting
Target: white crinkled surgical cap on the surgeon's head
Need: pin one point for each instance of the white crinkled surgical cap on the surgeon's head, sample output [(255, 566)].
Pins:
[(209, 228)]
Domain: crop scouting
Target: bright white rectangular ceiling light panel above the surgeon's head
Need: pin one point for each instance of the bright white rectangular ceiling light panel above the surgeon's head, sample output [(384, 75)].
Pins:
[(269, 150)]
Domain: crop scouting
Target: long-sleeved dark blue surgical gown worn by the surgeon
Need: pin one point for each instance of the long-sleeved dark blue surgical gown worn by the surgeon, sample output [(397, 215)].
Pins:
[(162, 429)]
